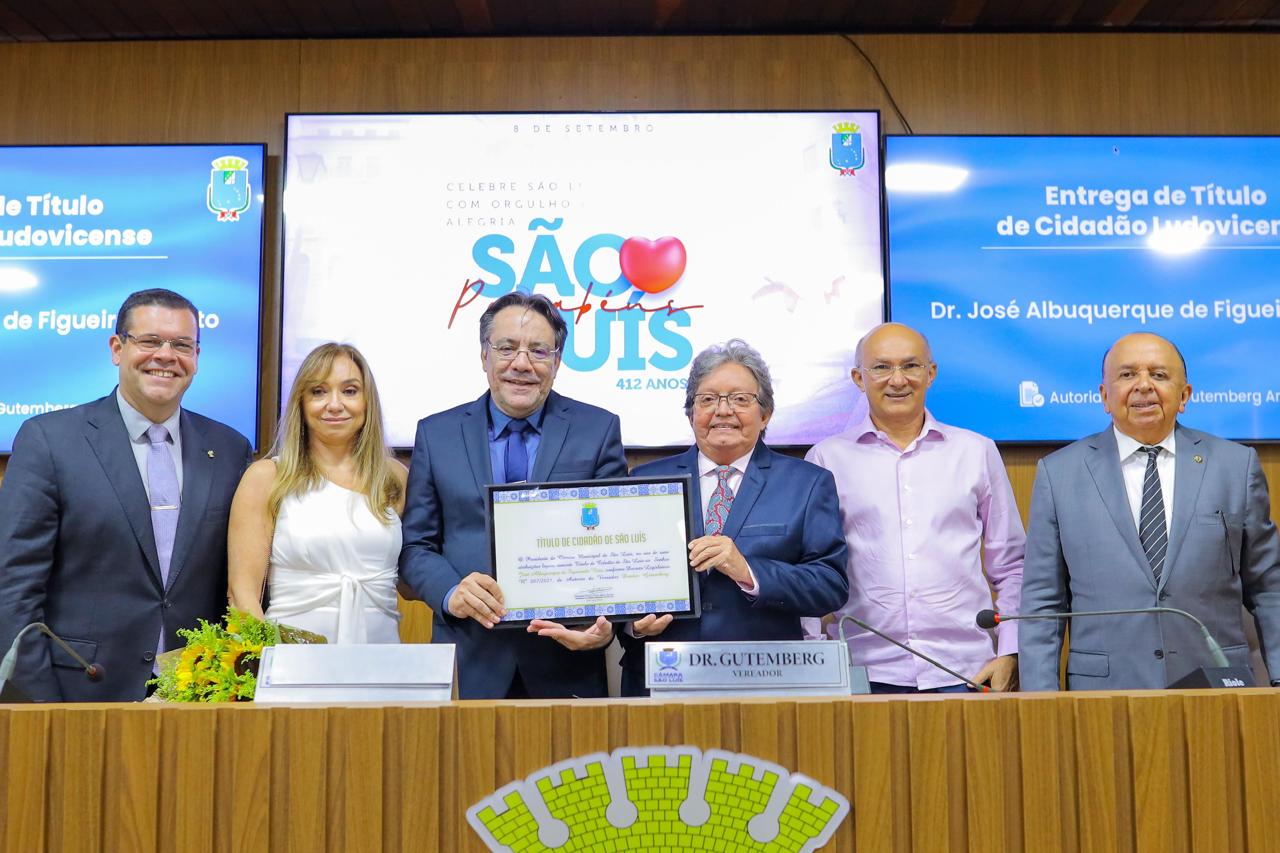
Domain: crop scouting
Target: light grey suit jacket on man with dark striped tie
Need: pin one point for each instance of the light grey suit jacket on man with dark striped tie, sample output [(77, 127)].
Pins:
[(1084, 554)]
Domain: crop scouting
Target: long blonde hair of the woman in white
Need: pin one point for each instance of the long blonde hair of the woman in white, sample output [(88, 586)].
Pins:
[(296, 472)]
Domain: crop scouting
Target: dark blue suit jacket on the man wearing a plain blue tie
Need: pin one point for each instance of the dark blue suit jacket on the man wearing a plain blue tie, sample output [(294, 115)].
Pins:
[(446, 540)]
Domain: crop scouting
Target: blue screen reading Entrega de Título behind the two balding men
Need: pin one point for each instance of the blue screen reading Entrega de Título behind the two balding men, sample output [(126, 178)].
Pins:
[(1023, 258)]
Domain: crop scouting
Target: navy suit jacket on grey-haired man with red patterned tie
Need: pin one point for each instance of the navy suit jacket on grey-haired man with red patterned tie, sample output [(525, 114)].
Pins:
[(785, 521)]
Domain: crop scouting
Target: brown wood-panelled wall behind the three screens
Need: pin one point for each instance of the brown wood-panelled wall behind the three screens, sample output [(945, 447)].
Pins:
[(972, 84)]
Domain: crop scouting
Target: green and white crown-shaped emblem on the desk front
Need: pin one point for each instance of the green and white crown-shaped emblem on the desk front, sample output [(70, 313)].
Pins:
[(660, 799)]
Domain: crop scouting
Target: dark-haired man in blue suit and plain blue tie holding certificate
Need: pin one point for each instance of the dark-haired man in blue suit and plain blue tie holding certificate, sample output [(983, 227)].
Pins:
[(520, 430)]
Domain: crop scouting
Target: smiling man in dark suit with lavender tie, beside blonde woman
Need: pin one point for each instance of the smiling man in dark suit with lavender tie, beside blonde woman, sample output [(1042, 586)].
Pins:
[(113, 516)]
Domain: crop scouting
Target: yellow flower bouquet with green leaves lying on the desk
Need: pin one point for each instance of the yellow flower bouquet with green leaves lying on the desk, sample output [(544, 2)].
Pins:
[(220, 663)]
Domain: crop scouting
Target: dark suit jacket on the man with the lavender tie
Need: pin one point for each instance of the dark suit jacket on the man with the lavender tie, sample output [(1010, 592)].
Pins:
[(77, 550)]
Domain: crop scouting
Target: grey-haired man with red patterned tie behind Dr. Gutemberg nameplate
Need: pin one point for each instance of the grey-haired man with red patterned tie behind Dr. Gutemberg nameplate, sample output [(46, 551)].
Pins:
[(767, 536)]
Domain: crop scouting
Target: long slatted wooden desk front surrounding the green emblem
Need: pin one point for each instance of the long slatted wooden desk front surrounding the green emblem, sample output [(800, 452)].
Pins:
[(1104, 772)]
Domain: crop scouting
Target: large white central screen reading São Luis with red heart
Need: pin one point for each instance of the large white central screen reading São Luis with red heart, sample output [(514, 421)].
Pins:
[(659, 234)]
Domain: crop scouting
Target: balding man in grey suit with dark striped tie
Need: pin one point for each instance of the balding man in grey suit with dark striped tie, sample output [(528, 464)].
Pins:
[(1148, 514)]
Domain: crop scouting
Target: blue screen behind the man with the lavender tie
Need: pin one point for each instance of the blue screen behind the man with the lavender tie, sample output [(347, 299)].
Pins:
[(83, 227)]
